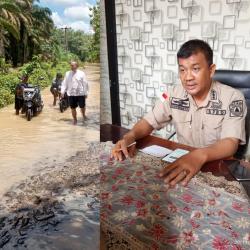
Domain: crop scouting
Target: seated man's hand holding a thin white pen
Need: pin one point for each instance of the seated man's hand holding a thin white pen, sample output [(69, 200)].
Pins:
[(121, 149)]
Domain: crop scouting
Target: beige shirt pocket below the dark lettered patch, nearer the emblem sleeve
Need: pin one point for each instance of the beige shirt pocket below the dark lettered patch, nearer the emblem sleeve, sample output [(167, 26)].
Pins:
[(211, 129)]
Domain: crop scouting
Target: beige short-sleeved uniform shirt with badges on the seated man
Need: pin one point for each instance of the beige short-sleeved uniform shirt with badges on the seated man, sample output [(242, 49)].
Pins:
[(221, 115)]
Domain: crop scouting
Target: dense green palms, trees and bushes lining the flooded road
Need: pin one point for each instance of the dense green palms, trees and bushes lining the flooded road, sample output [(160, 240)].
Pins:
[(30, 43)]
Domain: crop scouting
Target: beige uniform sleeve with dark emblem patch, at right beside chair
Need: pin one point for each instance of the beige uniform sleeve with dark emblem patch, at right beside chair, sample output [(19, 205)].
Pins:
[(233, 125)]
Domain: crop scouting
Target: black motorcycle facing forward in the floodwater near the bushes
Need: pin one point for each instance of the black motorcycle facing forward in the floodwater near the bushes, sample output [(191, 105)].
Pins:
[(33, 103)]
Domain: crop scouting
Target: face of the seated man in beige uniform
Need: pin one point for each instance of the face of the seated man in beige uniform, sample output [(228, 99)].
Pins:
[(196, 74)]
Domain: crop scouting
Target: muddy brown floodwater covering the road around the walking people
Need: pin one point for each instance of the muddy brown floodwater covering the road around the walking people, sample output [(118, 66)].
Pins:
[(26, 147)]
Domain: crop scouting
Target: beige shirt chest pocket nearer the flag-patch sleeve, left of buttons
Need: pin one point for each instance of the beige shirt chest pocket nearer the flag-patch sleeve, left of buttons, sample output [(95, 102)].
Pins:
[(182, 121)]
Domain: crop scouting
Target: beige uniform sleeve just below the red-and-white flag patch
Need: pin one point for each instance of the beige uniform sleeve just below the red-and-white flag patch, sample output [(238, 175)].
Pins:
[(159, 116)]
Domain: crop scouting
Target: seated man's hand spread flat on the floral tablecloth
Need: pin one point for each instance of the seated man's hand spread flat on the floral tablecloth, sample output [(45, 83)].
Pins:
[(183, 169)]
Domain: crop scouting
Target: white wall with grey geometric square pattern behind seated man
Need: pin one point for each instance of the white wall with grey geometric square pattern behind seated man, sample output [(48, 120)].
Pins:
[(149, 33)]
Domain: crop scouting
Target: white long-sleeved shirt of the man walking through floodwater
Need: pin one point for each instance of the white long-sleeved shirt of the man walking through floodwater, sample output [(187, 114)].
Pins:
[(75, 84)]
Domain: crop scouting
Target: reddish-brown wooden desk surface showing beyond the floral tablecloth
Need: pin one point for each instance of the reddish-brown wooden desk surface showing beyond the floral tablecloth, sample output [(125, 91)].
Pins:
[(114, 133)]
